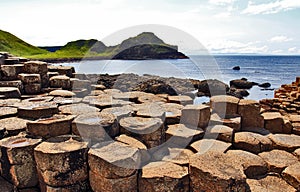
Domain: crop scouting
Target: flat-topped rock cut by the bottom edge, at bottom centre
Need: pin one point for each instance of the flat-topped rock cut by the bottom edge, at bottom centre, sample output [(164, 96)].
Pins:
[(164, 176)]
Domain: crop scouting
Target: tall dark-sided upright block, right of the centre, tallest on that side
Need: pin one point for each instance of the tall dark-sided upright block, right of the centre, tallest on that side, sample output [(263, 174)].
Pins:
[(249, 110)]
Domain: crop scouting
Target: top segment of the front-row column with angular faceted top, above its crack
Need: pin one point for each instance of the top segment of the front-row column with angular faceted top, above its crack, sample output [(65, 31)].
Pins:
[(113, 160)]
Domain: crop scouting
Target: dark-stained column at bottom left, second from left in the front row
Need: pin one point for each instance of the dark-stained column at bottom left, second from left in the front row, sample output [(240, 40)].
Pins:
[(62, 161)]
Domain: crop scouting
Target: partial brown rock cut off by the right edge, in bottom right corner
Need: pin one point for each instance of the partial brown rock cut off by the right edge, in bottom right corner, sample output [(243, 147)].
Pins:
[(291, 175)]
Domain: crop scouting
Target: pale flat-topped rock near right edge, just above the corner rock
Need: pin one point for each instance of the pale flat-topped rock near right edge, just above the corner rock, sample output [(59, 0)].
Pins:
[(278, 160)]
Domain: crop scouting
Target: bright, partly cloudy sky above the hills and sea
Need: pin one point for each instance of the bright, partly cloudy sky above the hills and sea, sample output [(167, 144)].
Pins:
[(221, 26)]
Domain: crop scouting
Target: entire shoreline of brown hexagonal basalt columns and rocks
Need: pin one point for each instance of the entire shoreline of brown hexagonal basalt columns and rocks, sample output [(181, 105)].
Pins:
[(62, 131)]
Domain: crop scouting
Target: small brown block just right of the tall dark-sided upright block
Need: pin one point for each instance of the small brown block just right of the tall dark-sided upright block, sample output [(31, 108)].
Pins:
[(273, 122)]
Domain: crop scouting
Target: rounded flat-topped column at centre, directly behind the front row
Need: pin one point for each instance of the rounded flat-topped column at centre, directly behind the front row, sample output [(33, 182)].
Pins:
[(148, 130)]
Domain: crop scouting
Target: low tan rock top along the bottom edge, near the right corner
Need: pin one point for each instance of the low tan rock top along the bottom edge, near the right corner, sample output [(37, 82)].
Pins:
[(268, 184)]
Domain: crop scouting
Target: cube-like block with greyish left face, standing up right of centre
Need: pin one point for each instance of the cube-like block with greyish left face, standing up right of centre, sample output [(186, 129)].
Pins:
[(196, 116)]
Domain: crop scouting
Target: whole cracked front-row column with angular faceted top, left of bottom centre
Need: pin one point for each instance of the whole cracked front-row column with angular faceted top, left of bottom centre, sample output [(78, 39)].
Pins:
[(113, 167)]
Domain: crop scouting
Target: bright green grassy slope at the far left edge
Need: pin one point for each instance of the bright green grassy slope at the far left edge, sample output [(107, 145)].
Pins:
[(16, 46)]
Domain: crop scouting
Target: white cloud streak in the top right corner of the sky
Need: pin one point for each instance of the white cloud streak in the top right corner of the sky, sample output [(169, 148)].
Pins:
[(272, 7)]
